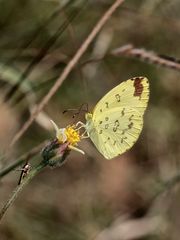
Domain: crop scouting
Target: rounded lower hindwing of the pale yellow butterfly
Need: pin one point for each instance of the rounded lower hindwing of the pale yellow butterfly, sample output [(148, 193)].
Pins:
[(113, 136)]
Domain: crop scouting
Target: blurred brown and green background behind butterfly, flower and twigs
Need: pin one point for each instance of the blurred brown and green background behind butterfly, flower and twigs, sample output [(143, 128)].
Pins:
[(89, 197)]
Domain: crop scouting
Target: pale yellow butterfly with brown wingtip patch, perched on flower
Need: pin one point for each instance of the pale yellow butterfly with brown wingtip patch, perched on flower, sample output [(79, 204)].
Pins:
[(117, 120)]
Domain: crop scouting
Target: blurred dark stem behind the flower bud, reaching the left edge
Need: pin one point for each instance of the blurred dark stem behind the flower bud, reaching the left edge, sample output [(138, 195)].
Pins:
[(25, 157)]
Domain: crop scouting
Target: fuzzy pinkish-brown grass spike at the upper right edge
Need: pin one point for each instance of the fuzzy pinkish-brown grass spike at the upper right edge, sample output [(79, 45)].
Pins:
[(147, 56)]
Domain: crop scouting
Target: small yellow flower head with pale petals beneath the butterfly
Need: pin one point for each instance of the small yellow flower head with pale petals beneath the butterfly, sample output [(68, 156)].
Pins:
[(70, 135)]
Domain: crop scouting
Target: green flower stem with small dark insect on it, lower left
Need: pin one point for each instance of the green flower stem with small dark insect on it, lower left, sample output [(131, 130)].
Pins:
[(20, 187)]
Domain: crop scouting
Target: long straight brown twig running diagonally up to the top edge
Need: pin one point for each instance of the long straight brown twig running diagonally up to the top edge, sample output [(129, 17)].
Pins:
[(68, 68)]
